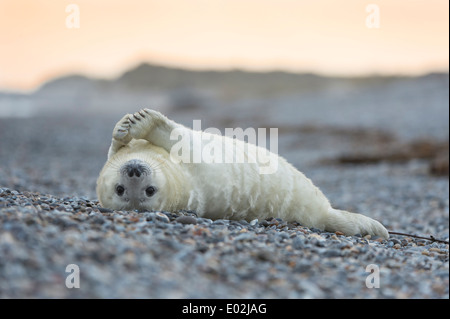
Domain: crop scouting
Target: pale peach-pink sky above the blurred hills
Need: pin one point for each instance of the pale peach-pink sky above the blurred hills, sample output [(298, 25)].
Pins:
[(328, 37)]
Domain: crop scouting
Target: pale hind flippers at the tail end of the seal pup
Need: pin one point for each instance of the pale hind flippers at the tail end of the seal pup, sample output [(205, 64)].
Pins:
[(351, 224)]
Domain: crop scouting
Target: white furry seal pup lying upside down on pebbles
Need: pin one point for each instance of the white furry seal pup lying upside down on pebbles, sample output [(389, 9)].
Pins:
[(141, 174)]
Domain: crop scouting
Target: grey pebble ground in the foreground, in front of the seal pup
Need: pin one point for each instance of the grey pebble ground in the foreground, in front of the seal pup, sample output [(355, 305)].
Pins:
[(178, 255)]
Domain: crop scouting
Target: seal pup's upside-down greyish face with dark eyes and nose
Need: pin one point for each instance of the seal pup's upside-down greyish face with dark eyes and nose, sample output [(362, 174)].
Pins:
[(131, 185)]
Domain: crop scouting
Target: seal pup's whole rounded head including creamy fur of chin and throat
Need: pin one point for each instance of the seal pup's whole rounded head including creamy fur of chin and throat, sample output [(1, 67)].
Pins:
[(141, 176)]
